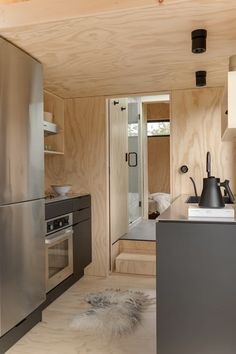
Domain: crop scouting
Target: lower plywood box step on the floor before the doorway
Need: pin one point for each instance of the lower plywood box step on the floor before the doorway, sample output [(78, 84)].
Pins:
[(132, 263)]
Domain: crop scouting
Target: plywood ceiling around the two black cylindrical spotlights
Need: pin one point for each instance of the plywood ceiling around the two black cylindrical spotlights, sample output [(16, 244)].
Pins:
[(132, 50)]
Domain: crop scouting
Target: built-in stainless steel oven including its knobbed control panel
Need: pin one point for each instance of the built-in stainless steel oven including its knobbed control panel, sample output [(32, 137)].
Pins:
[(59, 250)]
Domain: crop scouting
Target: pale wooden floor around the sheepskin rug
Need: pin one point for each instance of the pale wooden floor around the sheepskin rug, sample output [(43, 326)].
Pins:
[(53, 335)]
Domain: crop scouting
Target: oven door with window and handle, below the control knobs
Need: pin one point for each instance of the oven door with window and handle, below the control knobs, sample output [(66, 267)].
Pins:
[(59, 257)]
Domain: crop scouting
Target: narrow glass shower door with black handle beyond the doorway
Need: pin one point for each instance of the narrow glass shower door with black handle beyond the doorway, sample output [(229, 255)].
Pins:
[(134, 161)]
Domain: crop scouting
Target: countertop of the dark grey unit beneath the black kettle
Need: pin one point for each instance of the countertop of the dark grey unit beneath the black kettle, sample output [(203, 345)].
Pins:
[(178, 211)]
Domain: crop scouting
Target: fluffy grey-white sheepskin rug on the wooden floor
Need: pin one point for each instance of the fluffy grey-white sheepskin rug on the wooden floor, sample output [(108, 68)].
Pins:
[(112, 312)]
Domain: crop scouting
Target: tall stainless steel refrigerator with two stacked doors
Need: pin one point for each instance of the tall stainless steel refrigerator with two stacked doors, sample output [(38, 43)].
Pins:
[(22, 255)]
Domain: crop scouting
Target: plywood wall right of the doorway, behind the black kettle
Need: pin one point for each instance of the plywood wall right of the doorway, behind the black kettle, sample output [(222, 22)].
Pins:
[(196, 129)]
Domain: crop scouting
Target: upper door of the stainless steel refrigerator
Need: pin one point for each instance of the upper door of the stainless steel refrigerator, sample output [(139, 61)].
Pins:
[(21, 126)]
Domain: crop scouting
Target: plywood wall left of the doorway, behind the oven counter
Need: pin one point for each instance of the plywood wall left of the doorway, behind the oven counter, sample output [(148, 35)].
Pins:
[(84, 165)]
